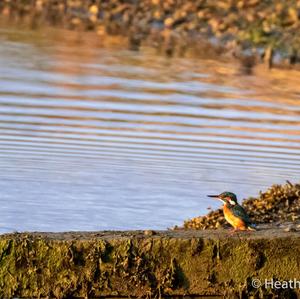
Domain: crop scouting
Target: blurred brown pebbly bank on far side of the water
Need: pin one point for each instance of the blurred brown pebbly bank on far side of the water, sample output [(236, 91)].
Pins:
[(249, 30)]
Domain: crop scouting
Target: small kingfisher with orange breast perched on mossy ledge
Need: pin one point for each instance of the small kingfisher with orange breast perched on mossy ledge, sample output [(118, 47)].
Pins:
[(233, 212)]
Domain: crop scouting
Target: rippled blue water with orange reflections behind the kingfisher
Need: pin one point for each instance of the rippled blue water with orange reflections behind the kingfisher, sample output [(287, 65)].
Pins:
[(95, 137)]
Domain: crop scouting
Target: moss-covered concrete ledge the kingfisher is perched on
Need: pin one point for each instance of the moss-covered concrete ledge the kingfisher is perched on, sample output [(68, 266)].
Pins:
[(152, 264)]
